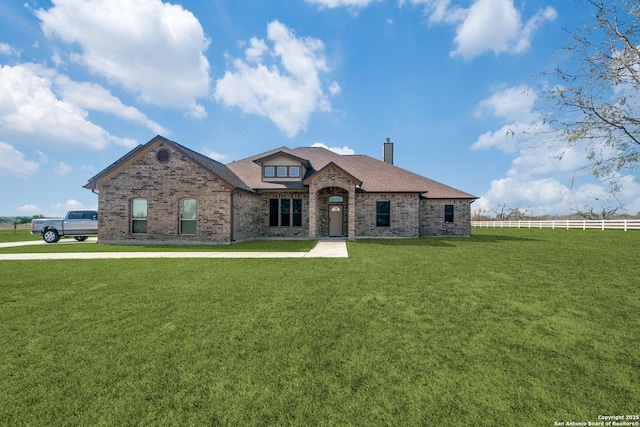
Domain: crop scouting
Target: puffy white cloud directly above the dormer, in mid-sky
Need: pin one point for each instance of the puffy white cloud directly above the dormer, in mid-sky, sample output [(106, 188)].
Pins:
[(287, 92)]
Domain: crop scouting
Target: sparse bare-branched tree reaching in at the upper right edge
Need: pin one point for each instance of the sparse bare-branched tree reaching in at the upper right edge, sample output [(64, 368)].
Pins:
[(596, 100)]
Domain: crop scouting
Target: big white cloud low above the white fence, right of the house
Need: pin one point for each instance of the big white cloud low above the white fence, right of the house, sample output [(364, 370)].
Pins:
[(546, 175)]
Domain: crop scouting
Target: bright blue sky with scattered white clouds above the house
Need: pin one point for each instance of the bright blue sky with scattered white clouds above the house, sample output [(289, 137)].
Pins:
[(84, 81)]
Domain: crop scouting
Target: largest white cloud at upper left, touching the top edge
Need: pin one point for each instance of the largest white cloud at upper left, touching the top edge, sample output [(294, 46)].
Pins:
[(152, 48)]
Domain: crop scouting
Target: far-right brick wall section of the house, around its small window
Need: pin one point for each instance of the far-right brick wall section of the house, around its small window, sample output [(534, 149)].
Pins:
[(432, 218)]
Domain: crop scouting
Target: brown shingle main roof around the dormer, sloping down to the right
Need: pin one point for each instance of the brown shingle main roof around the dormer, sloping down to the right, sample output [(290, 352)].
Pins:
[(375, 175)]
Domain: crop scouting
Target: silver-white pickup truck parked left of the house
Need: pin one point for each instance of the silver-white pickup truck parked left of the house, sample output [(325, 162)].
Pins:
[(77, 223)]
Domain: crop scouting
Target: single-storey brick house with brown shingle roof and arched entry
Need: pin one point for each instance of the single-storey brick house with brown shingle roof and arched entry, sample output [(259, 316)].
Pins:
[(164, 192)]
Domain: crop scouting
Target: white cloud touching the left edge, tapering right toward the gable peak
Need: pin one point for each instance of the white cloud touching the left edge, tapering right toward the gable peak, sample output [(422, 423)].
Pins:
[(31, 112)]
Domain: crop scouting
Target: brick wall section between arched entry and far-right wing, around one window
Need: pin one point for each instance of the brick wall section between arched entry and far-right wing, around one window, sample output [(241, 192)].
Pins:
[(404, 219)]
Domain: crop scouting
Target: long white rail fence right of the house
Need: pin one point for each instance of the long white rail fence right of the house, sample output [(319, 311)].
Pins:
[(609, 224)]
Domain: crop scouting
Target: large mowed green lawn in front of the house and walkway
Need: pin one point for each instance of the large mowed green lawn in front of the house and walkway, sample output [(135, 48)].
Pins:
[(510, 327)]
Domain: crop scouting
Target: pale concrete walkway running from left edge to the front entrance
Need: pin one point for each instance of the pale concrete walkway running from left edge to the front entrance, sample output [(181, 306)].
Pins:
[(324, 249)]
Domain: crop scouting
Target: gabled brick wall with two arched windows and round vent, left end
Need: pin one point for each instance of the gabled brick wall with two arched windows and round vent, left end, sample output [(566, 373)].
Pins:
[(163, 185)]
